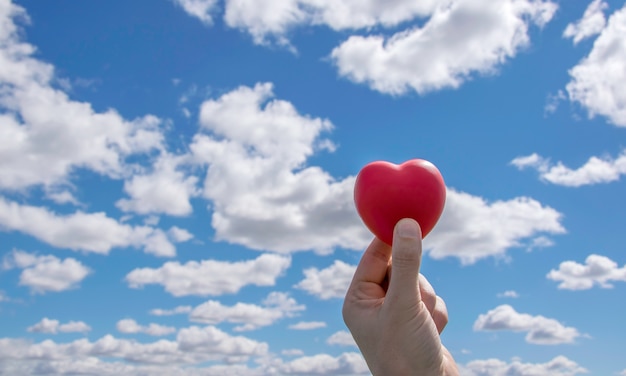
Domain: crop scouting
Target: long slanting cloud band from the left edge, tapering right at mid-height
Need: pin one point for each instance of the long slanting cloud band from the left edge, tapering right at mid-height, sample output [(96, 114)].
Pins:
[(90, 232)]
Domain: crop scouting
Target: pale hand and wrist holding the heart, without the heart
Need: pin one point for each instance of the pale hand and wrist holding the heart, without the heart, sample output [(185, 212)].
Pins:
[(396, 318)]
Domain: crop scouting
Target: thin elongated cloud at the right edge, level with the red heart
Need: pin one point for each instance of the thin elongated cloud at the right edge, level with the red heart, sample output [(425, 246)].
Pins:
[(595, 171)]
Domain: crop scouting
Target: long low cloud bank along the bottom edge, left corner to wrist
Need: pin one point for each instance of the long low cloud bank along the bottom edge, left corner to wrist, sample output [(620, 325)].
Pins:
[(195, 352)]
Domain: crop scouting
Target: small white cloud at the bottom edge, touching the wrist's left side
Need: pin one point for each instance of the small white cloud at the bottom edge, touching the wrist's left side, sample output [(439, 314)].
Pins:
[(324, 364)]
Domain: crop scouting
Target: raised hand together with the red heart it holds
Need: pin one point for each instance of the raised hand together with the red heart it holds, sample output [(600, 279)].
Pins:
[(392, 311)]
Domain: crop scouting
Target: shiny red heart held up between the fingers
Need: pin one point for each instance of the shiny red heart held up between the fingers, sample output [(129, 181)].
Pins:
[(384, 193)]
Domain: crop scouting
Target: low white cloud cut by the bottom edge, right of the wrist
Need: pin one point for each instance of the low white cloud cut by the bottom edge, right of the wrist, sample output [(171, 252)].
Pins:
[(559, 366)]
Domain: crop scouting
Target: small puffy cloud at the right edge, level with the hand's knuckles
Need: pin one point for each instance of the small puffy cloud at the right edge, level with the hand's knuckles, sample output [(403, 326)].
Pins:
[(597, 270)]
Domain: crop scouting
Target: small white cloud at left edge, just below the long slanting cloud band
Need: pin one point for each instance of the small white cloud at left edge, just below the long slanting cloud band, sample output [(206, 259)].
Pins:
[(46, 273)]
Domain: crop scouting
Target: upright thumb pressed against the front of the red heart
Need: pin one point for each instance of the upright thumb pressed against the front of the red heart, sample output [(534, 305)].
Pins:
[(406, 255)]
